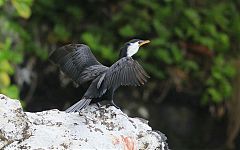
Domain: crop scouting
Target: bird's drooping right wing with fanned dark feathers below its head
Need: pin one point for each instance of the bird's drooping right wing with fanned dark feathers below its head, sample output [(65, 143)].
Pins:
[(125, 71)]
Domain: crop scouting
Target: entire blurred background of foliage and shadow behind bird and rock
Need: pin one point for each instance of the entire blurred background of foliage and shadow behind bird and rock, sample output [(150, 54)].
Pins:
[(193, 60)]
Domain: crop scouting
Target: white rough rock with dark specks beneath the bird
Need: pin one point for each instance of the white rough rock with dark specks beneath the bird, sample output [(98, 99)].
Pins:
[(92, 128)]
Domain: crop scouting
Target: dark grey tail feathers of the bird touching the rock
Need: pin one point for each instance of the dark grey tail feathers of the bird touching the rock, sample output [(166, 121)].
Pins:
[(79, 105)]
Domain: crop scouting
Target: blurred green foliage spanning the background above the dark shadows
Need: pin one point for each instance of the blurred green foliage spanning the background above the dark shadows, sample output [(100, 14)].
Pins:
[(199, 38)]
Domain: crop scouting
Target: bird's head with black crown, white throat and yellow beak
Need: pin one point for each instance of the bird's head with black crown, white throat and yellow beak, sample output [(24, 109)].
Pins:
[(130, 48)]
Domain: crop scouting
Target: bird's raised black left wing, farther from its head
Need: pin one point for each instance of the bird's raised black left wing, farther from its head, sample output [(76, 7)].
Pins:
[(78, 62)]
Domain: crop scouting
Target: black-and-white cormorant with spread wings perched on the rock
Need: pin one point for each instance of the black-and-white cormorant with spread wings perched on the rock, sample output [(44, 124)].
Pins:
[(78, 62)]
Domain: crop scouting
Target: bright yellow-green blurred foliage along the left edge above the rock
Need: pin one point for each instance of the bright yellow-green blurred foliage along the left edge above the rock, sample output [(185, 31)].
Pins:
[(12, 44)]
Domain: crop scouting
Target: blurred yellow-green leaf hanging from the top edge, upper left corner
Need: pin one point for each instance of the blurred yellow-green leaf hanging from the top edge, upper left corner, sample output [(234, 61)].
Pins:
[(23, 7)]
